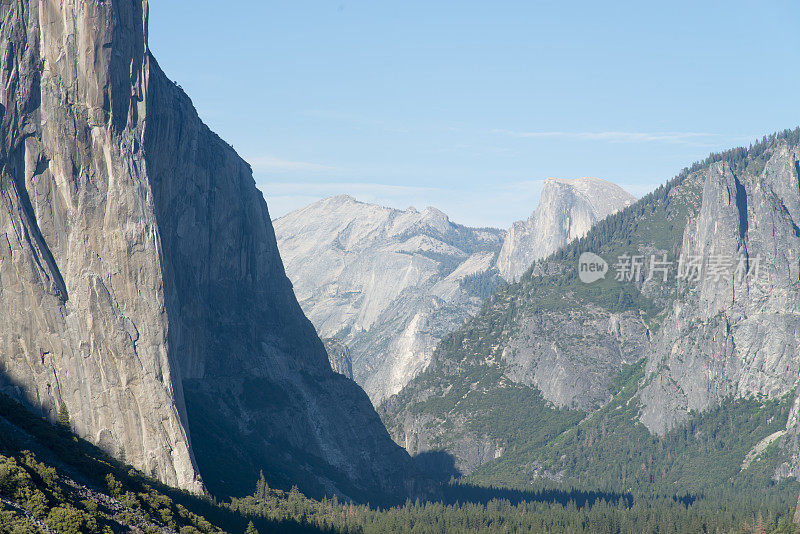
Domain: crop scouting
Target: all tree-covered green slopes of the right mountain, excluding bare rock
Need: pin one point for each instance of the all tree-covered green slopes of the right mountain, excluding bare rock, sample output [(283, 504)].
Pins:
[(466, 391)]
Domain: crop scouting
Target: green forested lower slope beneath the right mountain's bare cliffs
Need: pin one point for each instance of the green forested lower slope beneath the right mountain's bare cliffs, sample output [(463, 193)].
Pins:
[(613, 451)]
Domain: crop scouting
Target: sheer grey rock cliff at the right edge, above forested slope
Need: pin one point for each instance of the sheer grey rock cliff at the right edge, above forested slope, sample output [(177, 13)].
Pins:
[(740, 335)]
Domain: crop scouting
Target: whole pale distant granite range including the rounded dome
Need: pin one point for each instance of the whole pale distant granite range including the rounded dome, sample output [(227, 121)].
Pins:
[(389, 284)]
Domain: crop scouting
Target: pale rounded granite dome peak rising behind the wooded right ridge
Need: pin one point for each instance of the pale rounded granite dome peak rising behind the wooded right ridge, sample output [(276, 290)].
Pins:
[(567, 210)]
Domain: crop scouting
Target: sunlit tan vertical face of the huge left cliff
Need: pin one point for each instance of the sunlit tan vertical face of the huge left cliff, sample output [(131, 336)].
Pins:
[(83, 302)]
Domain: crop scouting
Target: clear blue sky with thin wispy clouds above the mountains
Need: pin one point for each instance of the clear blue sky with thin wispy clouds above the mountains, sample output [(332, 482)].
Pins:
[(468, 106)]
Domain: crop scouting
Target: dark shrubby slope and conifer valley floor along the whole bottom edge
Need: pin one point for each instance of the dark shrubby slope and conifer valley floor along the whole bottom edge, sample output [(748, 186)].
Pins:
[(50, 479)]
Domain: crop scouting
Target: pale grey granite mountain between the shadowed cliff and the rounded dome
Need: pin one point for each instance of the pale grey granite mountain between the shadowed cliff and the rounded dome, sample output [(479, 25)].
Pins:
[(387, 283)]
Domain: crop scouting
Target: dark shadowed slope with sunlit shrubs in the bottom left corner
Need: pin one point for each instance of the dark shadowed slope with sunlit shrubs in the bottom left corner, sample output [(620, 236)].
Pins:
[(49, 478)]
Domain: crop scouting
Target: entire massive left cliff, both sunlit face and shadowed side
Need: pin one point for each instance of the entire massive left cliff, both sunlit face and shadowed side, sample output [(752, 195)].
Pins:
[(139, 268)]
